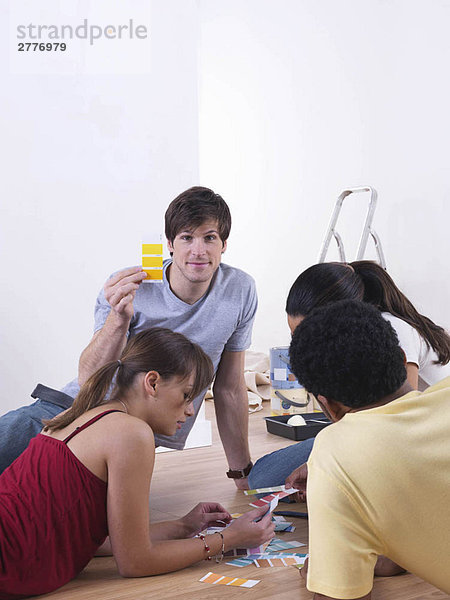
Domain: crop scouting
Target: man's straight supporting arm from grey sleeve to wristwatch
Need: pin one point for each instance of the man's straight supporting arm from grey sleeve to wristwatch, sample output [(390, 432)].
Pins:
[(231, 404)]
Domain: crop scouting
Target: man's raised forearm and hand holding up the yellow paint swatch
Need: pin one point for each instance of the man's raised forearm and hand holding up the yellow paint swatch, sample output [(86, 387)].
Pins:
[(107, 343)]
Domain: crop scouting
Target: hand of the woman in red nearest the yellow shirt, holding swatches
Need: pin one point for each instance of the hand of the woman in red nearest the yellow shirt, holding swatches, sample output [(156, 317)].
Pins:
[(251, 530)]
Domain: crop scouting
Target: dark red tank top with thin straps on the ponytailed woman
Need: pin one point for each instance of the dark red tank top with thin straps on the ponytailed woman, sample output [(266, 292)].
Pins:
[(52, 517)]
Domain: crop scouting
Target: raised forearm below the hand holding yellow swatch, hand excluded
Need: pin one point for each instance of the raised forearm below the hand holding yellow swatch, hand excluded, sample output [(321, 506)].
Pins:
[(106, 345)]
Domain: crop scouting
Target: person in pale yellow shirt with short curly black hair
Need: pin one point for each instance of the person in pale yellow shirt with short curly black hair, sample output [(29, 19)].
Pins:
[(379, 476)]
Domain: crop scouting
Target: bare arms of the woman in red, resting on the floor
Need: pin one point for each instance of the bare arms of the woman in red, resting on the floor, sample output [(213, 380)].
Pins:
[(137, 550)]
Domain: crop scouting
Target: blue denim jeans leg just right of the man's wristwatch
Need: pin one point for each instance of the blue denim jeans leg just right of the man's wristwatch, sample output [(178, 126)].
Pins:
[(272, 469)]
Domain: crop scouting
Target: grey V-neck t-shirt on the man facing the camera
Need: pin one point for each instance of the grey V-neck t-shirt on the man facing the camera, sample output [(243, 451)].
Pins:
[(221, 320)]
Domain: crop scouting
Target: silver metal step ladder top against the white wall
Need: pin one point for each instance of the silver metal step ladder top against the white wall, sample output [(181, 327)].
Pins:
[(367, 229)]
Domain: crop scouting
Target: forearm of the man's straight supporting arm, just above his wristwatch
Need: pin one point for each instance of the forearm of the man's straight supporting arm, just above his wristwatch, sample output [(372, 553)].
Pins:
[(232, 422)]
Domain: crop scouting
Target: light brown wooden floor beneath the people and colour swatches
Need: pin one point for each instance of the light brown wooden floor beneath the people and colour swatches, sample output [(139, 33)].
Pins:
[(181, 480)]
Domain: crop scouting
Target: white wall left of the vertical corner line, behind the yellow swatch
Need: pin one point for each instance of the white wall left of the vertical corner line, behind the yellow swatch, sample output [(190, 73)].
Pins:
[(91, 163)]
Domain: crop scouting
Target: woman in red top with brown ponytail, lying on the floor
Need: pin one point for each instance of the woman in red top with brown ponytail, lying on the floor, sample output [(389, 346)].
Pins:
[(87, 476)]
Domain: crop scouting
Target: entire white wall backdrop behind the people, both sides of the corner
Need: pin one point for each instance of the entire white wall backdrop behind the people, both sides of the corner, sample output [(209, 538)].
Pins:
[(298, 100)]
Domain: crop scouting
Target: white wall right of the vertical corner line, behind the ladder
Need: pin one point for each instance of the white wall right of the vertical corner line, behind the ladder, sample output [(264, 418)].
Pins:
[(303, 98)]
